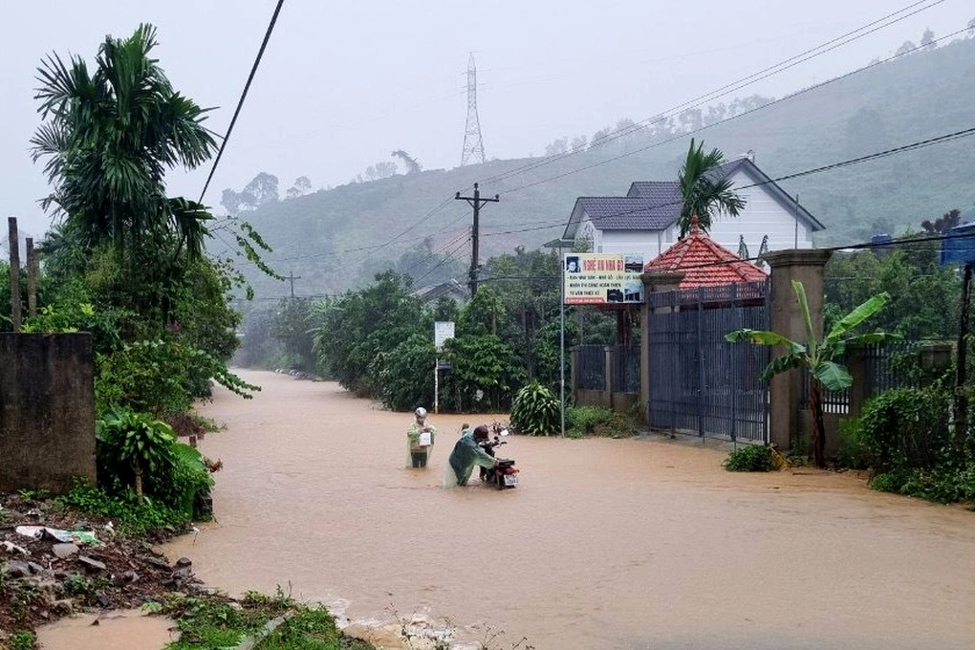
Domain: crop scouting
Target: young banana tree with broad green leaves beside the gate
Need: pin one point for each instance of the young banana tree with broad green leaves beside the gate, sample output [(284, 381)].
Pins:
[(817, 356)]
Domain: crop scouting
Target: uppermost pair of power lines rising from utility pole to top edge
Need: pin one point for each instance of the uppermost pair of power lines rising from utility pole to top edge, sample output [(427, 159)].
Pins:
[(769, 71)]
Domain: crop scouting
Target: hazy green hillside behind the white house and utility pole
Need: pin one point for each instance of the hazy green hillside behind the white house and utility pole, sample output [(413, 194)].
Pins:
[(915, 97)]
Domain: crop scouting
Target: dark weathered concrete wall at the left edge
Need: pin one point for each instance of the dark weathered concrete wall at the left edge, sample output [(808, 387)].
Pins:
[(47, 411)]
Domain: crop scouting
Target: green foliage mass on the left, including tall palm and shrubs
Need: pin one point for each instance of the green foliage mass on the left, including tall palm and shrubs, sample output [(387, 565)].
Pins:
[(125, 262)]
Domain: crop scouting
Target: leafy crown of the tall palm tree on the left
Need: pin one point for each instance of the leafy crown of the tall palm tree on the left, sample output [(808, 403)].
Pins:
[(110, 136)]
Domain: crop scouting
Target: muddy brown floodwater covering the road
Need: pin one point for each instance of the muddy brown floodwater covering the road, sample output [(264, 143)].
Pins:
[(635, 544)]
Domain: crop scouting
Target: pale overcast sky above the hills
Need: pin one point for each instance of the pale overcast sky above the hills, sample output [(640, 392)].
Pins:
[(343, 84)]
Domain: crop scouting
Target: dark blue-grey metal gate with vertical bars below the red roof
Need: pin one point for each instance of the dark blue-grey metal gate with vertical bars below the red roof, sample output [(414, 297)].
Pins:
[(700, 384)]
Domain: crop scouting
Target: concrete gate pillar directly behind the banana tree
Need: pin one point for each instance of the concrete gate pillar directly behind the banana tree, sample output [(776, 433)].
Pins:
[(807, 267)]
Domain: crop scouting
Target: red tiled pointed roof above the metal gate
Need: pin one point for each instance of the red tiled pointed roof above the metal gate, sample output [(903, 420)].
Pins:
[(704, 262)]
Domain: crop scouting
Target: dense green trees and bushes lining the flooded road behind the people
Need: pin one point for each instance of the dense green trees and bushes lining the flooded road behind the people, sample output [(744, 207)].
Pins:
[(378, 341)]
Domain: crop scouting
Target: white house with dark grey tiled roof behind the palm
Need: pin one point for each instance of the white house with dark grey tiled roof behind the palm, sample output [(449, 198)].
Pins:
[(646, 219)]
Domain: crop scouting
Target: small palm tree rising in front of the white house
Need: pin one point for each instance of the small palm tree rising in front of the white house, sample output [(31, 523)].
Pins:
[(704, 194)]
